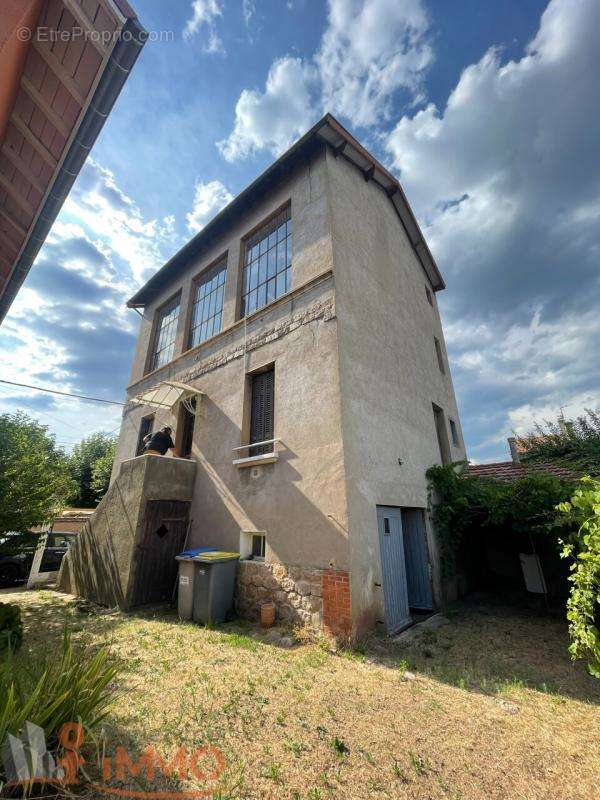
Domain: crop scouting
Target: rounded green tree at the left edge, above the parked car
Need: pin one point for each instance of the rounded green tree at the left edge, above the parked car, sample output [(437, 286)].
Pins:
[(35, 484)]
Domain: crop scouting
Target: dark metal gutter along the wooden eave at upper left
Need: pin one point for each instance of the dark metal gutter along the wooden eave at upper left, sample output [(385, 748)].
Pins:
[(122, 59)]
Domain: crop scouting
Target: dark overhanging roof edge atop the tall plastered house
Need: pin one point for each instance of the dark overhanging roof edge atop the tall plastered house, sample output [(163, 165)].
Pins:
[(327, 130)]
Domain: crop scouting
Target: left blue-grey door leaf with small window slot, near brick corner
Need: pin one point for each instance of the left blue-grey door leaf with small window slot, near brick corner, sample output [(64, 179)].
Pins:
[(393, 569)]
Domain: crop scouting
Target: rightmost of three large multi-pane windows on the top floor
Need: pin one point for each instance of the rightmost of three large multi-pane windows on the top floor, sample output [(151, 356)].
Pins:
[(268, 264)]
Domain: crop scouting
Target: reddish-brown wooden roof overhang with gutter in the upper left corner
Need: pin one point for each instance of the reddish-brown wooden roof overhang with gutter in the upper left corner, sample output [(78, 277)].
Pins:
[(55, 97)]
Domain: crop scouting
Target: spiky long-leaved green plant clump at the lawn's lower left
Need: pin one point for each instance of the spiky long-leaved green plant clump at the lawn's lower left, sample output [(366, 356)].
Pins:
[(71, 686)]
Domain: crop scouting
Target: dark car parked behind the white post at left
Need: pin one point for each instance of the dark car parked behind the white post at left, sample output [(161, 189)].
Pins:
[(17, 549)]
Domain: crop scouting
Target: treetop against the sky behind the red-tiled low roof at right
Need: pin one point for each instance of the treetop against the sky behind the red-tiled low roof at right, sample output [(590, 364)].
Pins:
[(572, 444)]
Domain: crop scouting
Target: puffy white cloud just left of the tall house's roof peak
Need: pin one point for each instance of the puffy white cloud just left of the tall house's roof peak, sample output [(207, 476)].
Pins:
[(274, 118)]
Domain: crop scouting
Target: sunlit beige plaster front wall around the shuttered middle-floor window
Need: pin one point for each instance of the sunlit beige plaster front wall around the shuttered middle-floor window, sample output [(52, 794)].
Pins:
[(300, 501)]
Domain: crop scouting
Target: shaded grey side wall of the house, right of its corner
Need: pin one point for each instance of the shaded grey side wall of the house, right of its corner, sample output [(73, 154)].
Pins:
[(388, 371)]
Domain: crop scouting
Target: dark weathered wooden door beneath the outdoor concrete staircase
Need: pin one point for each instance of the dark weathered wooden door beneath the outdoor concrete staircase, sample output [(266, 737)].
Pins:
[(164, 537)]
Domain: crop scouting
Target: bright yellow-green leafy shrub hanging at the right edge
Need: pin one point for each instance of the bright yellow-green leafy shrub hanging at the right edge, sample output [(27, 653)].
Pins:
[(583, 546)]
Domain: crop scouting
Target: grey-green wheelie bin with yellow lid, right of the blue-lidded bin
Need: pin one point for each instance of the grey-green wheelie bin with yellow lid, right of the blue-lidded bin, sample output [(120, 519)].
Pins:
[(214, 583)]
